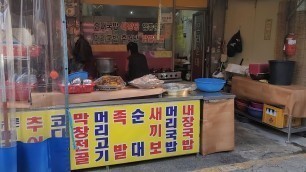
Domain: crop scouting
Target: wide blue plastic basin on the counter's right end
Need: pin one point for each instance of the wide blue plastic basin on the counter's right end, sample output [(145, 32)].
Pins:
[(209, 84)]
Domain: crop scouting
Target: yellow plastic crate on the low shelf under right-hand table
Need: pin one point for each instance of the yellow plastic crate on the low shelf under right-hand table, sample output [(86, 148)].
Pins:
[(275, 116)]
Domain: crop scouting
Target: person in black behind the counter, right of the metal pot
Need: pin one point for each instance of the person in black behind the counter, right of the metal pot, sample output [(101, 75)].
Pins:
[(137, 63)]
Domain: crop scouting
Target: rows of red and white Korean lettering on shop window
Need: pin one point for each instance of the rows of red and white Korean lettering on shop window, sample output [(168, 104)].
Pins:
[(105, 31)]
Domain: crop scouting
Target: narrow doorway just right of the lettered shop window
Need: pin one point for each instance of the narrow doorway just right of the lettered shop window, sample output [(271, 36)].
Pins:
[(189, 43)]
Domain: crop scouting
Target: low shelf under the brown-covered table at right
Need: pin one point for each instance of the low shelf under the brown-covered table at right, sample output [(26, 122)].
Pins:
[(285, 130)]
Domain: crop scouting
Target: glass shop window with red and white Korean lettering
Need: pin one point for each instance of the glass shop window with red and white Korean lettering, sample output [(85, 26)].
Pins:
[(109, 24)]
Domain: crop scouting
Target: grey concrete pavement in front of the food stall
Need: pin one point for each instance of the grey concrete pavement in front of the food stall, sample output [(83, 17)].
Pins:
[(258, 148)]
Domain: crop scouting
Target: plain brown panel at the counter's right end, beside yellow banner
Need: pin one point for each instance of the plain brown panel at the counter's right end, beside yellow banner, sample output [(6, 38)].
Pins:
[(217, 127)]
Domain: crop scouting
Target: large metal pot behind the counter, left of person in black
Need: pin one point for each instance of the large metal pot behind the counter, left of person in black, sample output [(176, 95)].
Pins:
[(105, 65)]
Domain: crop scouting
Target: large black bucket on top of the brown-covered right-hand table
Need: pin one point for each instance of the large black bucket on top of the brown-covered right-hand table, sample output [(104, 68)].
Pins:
[(281, 72)]
